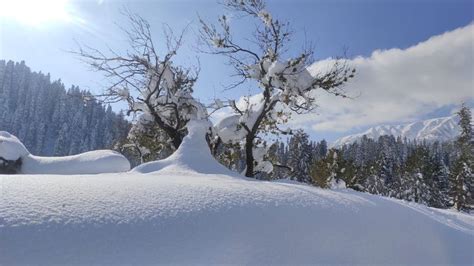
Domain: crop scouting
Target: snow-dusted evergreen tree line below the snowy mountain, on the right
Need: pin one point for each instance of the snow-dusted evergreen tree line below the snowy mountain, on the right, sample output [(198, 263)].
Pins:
[(431, 173)]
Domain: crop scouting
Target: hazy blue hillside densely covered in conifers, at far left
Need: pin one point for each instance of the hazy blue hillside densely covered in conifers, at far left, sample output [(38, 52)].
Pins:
[(51, 120)]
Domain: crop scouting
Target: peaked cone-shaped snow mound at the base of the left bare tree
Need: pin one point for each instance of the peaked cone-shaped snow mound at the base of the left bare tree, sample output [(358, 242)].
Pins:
[(192, 155)]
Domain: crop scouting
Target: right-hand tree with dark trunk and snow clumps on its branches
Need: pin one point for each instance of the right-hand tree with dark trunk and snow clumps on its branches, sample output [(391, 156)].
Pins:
[(287, 85)]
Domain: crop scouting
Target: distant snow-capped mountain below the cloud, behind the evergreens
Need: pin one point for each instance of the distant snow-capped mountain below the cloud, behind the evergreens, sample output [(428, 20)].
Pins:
[(441, 129)]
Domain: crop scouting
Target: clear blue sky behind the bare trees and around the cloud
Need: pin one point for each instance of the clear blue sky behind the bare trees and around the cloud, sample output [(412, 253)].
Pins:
[(361, 26)]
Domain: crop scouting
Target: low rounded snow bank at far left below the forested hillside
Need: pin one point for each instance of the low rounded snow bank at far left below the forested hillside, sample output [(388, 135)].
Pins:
[(93, 162)]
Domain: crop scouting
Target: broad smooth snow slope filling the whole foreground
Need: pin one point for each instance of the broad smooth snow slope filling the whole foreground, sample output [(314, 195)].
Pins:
[(171, 218)]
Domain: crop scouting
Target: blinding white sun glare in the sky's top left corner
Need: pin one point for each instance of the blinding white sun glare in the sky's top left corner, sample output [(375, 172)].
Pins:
[(36, 12)]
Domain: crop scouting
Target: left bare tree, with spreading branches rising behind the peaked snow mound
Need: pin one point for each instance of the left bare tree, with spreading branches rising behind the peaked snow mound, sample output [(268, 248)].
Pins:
[(151, 84)]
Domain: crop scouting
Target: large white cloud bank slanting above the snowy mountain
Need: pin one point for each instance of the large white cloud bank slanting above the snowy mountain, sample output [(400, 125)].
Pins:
[(400, 85)]
